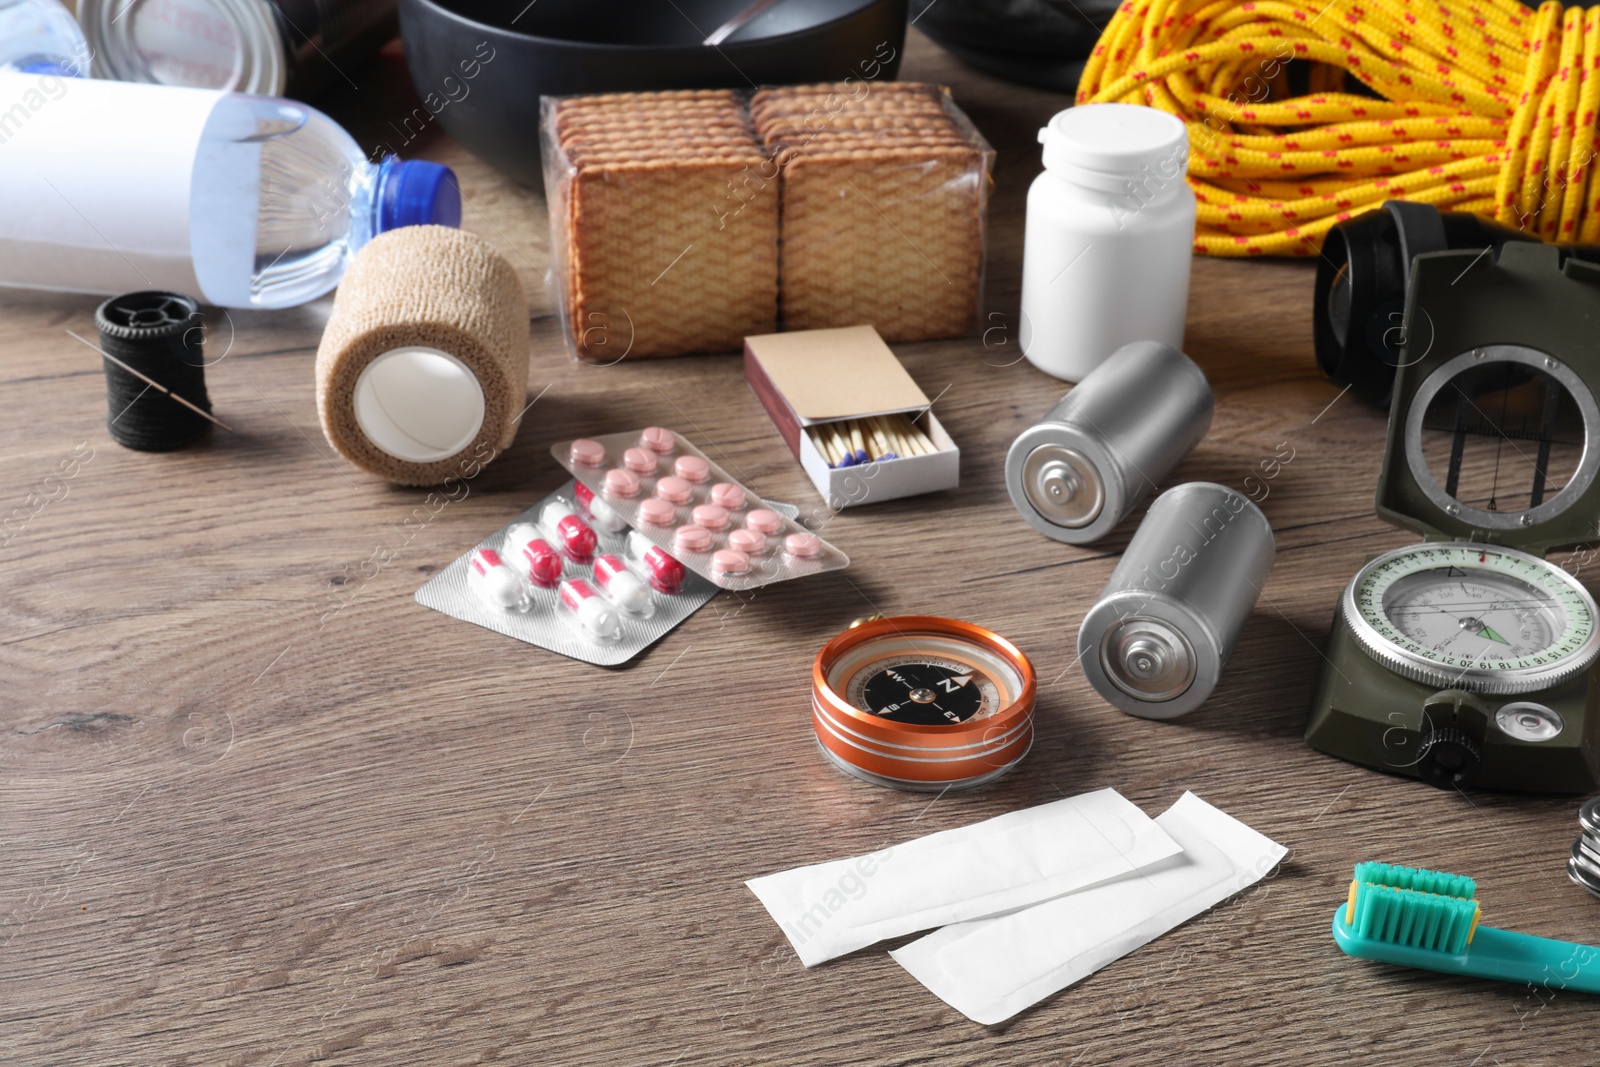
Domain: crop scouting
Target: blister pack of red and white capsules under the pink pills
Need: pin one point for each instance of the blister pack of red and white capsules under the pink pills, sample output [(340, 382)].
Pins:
[(567, 577)]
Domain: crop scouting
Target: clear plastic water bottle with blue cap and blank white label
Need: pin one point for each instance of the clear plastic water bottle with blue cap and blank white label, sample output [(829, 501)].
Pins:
[(238, 201)]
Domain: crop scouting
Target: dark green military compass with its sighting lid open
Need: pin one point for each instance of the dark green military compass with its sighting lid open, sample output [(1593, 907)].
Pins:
[(1470, 660)]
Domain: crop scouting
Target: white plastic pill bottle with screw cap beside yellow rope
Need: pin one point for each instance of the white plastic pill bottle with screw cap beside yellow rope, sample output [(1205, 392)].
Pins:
[(1110, 238)]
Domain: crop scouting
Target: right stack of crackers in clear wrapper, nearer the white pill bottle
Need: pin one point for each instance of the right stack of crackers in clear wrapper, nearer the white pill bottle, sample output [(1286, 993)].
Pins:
[(886, 191)]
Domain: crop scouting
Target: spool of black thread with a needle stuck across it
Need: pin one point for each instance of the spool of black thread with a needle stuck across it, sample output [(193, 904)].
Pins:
[(159, 335)]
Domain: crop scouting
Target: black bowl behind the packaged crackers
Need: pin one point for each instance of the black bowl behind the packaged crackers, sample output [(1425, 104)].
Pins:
[(481, 66)]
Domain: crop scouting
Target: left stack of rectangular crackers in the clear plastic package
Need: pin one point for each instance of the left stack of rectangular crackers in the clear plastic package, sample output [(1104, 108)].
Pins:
[(649, 258)]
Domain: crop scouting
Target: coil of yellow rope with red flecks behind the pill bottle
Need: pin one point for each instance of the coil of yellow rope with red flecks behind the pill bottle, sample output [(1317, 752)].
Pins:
[(1487, 108)]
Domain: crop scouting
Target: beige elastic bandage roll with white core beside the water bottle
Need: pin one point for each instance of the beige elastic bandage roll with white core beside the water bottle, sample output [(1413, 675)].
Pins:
[(423, 369)]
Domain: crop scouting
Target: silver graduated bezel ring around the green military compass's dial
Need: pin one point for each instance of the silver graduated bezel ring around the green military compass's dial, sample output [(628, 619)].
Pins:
[(1486, 681)]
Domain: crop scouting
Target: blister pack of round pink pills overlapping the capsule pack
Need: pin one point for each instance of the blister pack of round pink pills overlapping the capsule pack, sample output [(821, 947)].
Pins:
[(670, 492)]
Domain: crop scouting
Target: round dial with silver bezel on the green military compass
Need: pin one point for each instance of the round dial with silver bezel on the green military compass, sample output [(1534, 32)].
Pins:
[(1473, 617)]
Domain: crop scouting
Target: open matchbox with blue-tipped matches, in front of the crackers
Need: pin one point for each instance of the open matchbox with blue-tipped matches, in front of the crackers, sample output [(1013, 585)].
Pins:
[(817, 377)]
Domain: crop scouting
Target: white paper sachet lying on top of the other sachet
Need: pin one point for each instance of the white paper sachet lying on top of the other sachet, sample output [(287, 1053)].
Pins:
[(953, 876)]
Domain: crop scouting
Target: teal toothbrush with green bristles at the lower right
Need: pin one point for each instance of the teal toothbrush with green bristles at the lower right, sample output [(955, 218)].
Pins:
[(1430, 921)]
